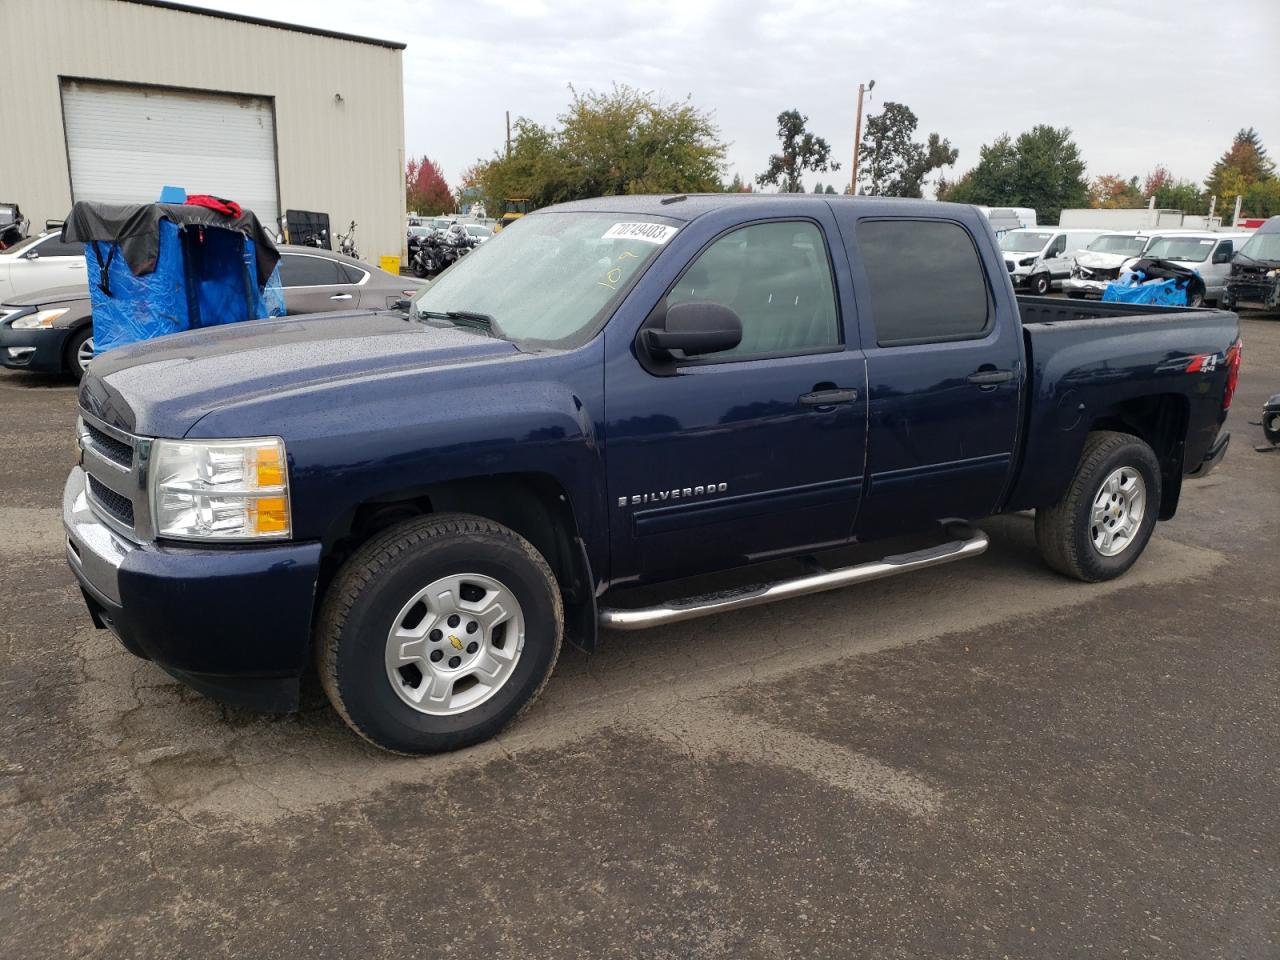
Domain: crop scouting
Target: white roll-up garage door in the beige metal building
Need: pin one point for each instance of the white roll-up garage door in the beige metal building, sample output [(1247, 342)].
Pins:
[(125, 144)]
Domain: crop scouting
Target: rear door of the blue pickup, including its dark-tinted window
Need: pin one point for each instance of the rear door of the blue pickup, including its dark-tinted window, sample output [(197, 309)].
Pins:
[(945, 372)]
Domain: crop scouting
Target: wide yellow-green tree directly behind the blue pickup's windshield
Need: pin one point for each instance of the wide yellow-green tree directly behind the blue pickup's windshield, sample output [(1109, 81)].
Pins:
[(621, 141)]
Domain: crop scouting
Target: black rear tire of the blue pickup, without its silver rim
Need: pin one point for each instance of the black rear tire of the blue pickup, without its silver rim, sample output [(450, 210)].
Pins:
[(1064, 532)]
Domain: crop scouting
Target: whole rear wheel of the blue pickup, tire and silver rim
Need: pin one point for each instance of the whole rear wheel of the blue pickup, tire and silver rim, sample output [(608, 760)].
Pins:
[(1104, 523)]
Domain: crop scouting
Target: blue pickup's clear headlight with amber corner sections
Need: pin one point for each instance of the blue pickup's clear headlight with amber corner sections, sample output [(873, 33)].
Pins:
[(221, 490)]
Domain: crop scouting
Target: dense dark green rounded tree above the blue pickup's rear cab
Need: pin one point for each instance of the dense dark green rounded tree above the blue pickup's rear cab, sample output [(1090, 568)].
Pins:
[(1043, 170)]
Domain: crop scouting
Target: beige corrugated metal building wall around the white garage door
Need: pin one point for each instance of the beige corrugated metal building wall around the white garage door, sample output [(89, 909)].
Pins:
[(344, 158)]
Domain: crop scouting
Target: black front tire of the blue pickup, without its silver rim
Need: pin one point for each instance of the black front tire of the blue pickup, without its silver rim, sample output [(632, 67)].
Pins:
[(372, 587)]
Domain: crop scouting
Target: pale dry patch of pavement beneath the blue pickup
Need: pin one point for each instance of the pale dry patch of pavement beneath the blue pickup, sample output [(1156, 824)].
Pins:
[(205, 764)]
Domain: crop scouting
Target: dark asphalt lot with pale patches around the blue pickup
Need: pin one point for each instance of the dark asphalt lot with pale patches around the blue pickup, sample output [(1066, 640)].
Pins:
[(980, 761)]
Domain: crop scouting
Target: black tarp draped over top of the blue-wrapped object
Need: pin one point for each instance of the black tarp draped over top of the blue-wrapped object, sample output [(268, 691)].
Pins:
[(135, 228)]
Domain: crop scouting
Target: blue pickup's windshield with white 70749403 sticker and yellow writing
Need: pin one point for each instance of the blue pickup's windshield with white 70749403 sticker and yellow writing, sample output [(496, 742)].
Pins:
[(547, 278)]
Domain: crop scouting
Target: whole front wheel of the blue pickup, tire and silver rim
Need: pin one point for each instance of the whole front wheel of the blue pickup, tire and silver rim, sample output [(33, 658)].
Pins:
[(438, 633)]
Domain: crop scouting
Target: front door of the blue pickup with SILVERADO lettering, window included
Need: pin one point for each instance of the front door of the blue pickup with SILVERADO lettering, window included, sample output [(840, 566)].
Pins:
[(755, 452)]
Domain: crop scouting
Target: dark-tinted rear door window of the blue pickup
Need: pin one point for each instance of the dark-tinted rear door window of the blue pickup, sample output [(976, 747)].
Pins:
[(926, 282)]
